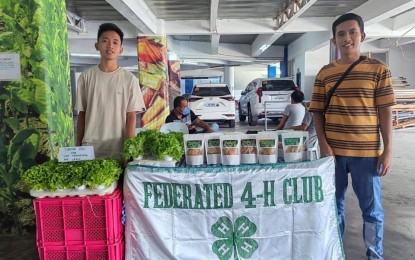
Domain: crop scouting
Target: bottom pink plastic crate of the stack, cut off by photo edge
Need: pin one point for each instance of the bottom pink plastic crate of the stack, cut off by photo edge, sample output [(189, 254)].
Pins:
[(91, 252)]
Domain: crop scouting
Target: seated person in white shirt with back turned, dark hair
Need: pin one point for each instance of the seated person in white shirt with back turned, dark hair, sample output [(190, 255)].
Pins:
[(294, 113)]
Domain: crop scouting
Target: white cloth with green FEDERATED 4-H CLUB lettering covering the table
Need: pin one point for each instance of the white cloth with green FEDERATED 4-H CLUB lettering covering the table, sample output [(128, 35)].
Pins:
[(269, 211)]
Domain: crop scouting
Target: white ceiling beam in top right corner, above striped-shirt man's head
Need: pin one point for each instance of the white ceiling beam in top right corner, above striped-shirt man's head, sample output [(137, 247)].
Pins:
[(375, 11)]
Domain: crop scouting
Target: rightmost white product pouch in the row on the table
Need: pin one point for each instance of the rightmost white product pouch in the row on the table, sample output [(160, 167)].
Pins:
[(292, 144)]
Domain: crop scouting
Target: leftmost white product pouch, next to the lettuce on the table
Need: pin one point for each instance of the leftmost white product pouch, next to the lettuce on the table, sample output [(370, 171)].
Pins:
[(194, 148)]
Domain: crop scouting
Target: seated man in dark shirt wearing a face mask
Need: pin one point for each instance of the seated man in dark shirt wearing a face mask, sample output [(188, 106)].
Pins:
[(182, 113)]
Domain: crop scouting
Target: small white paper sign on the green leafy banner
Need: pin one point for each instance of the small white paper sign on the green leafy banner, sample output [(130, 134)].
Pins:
[(10, 67)]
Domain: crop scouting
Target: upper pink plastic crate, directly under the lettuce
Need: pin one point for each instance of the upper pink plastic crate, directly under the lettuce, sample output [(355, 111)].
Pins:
[(91, 220)]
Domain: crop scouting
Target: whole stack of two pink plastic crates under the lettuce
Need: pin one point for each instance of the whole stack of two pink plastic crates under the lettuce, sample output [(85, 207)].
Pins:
[(78, 228)]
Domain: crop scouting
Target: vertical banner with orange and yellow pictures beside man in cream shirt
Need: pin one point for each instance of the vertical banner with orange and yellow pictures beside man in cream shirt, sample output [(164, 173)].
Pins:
[(153, 66)]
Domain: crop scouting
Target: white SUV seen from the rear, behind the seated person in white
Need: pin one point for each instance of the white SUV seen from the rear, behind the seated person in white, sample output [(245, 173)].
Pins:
[(275, 93)]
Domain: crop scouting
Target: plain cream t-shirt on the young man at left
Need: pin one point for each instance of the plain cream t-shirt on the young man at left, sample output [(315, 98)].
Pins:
[(106, 98)]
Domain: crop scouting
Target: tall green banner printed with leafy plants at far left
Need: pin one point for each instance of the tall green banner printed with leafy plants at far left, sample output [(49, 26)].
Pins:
[(35, 108)]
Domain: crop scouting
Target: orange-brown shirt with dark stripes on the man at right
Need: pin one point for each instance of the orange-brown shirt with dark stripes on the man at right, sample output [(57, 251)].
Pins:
[(352, 120)]
